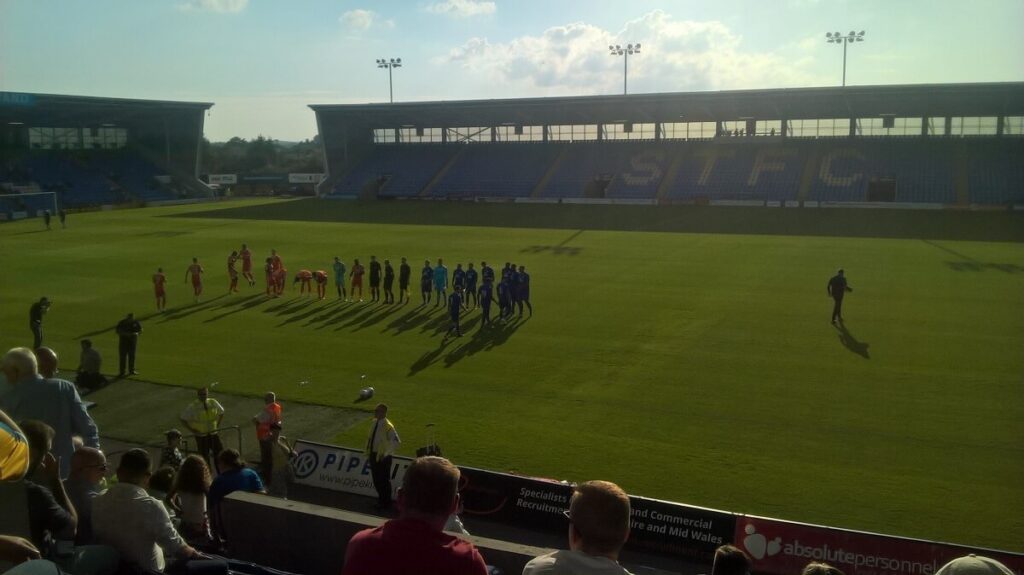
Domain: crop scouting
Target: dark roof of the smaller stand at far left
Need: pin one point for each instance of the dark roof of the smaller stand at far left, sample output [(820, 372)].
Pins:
[(55, 110)]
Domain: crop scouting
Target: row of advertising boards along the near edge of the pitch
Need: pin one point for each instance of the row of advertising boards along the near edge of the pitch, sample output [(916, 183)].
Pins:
[(680, 534)]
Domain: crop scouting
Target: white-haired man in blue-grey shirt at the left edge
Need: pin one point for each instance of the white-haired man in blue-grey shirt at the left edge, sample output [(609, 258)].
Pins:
[(56, 403)]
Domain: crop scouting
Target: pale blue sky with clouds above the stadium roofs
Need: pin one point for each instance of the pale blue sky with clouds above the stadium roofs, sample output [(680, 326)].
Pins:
[(262, 62)]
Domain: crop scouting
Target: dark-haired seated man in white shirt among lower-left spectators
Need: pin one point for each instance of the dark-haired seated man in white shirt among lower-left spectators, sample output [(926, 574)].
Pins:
[(129, 519)]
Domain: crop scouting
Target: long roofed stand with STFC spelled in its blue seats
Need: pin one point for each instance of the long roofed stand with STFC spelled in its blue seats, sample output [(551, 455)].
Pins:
[(929, 145)]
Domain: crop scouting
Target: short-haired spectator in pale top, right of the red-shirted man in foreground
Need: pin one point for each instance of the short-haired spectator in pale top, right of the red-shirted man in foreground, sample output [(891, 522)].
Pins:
[(600, 526)]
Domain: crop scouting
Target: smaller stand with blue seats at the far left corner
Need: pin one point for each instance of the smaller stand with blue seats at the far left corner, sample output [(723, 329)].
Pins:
[(95, 152)]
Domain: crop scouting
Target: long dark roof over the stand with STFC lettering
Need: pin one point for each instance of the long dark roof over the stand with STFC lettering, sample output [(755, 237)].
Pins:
[(850, 102)]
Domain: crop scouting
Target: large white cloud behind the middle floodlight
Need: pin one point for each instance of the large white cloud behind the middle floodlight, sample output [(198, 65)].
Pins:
[(677, 56)]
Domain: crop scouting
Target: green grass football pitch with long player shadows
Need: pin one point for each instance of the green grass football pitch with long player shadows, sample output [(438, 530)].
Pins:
[(694, 362)]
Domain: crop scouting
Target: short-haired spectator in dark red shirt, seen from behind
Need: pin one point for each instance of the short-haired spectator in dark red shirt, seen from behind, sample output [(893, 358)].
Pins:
[(416, 543)]
